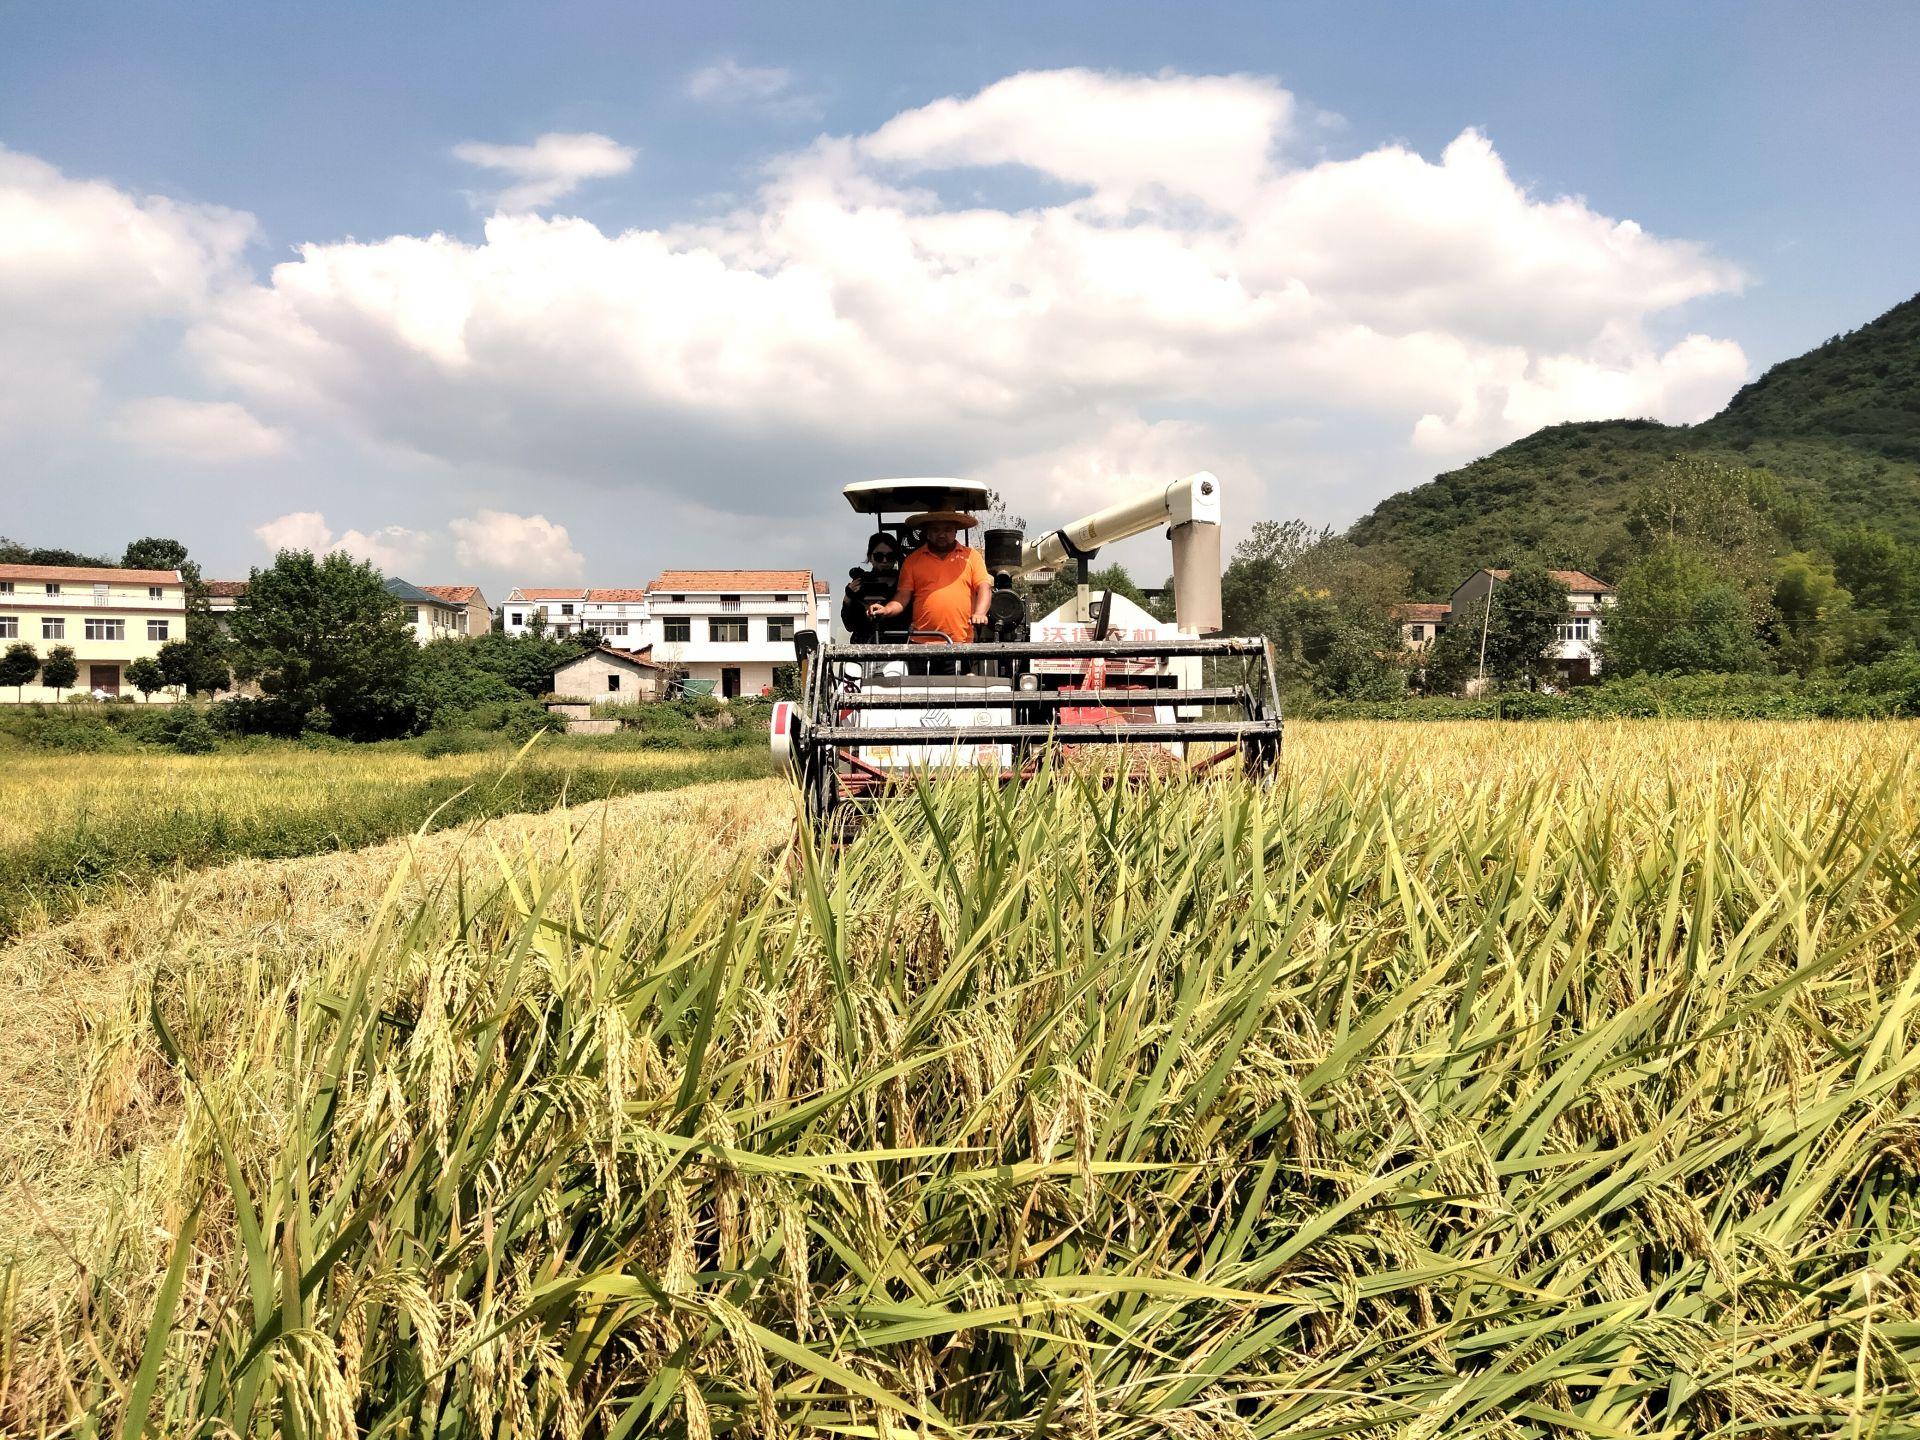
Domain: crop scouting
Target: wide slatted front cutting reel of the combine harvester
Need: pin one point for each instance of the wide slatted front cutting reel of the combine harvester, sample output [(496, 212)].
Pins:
[(871, 719)]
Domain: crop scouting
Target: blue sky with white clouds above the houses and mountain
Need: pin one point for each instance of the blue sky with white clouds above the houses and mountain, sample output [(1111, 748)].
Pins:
[(1765, 155)]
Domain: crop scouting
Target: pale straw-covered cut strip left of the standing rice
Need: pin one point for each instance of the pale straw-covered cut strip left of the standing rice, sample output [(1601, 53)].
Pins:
[(84, 1111)]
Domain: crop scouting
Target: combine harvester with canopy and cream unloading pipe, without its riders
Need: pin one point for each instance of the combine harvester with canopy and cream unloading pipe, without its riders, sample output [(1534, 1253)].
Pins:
[(1024, 694)]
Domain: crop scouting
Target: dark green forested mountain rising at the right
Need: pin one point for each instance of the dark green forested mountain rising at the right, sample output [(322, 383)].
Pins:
[(1838, 427)]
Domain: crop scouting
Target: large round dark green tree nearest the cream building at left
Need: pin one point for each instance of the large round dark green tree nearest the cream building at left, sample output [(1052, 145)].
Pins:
[(327, 644)]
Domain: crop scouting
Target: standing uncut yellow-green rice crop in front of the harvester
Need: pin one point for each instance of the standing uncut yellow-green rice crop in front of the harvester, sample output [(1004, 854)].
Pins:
[(1560, 1088)]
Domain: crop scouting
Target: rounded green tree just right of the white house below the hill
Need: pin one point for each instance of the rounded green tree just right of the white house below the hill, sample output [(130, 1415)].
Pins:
[(1677, 613)]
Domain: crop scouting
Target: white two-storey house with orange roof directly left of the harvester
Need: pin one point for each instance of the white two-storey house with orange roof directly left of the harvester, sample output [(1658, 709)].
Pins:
[(734, 627)]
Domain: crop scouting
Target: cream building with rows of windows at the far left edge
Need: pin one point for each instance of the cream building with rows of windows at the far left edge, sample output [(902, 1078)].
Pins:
[(108, 617)]
